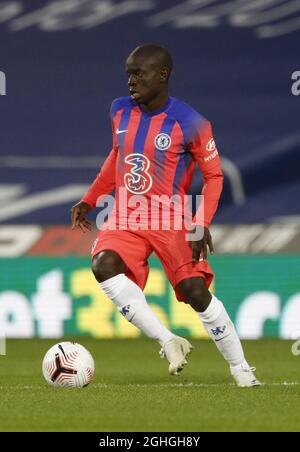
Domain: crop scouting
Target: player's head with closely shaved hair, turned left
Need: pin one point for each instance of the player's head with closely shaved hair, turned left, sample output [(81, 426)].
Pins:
[(148, 67)]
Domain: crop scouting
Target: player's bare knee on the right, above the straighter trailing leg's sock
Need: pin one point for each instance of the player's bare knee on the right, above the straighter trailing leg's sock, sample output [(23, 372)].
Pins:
[(196, 293)]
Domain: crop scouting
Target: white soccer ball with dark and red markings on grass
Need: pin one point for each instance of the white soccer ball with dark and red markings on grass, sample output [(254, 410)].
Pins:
[(68, 364)]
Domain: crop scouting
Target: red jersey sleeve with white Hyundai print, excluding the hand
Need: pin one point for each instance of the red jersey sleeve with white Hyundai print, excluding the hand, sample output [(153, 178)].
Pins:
[(205, 153)]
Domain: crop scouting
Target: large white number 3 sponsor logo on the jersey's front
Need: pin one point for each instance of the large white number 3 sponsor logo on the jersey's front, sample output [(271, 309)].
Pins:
[(138, 181)]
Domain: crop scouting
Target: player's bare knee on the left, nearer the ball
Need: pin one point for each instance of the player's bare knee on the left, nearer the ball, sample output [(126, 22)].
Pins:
[(107, 264)]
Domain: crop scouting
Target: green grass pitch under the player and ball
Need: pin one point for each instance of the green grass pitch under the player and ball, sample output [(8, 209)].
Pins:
[(132, 390)]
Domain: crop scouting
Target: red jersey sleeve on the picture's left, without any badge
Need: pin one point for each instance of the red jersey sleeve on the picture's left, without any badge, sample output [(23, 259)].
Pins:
[(105, 181)]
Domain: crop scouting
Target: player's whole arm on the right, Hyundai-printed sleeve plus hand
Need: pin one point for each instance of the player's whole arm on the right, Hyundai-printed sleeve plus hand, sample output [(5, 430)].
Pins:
[(206, 155)]
